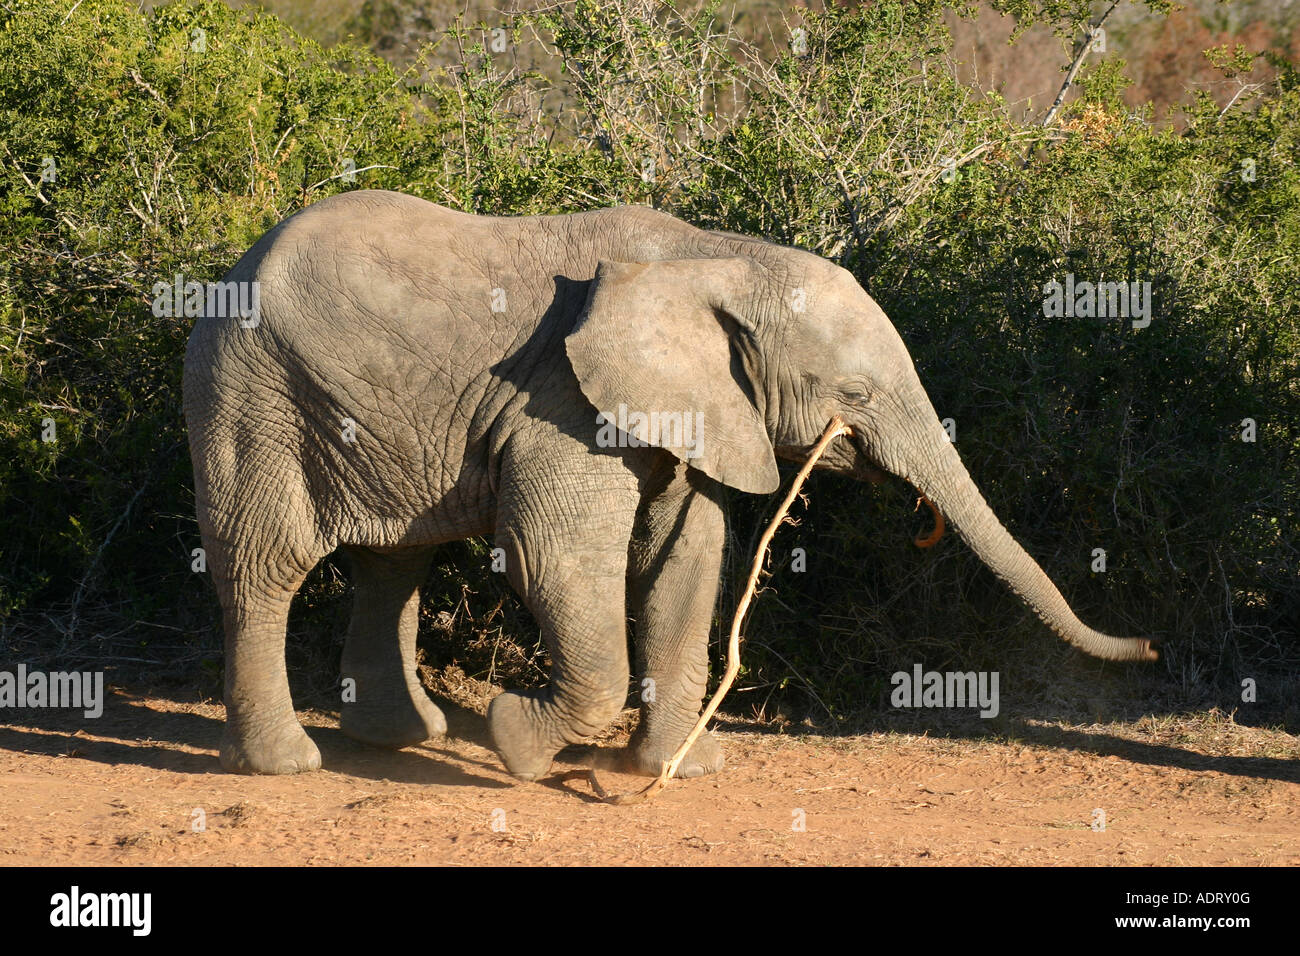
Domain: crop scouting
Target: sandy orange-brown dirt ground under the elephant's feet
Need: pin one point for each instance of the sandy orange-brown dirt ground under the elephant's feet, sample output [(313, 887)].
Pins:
[(133, 788)]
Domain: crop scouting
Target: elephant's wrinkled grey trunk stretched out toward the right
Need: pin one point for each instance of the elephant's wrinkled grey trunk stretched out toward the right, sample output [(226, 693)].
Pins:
[(938, 473)]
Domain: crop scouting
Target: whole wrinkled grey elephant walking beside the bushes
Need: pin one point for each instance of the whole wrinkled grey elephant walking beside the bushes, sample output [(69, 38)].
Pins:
[(479, 421)]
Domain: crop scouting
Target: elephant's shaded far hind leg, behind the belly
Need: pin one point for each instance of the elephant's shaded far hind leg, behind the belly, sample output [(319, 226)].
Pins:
[(385, 703)]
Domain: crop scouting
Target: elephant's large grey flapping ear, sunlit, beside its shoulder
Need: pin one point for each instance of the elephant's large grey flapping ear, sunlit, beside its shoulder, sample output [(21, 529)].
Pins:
[(653, 353)]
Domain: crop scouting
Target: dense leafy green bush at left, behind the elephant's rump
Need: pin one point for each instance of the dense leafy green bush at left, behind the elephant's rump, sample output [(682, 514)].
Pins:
[(174, 141)]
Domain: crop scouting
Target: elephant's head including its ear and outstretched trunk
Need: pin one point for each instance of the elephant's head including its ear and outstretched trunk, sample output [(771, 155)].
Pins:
[(756, 354)]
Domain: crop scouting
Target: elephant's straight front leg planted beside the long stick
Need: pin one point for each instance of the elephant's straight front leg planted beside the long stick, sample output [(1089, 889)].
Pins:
[(675, 561)]
